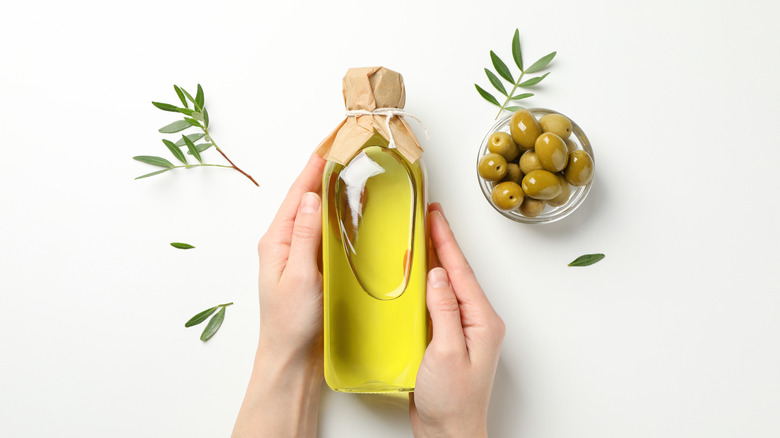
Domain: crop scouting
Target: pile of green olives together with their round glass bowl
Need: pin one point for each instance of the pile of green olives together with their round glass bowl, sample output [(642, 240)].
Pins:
[(554, 167)]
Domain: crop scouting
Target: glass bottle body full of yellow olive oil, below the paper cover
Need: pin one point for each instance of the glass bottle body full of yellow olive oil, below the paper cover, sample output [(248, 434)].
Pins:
[(374, 270)]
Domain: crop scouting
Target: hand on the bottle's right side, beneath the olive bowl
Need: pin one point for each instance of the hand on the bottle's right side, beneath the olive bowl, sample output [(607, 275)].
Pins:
[(456, 375)]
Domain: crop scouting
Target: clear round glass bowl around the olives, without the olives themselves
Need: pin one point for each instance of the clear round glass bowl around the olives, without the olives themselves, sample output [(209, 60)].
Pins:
[(550, 214)]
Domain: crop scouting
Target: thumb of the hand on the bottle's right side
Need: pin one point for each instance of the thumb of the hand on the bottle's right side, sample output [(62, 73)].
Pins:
[(445, 314)]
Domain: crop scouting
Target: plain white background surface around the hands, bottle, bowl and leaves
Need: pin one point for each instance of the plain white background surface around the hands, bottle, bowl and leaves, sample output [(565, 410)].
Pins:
[(674, 334)]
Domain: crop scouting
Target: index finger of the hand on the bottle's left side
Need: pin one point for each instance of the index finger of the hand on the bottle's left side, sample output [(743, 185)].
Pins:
[(310, 180)]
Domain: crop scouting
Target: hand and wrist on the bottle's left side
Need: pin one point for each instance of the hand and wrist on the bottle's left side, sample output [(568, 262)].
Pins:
[(282, 397)]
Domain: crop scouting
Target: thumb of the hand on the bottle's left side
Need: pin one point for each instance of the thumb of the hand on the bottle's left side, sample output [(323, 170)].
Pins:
[(306, 236)]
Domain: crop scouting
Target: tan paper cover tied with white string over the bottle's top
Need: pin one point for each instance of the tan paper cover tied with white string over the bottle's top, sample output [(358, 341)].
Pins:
[(368, 90)]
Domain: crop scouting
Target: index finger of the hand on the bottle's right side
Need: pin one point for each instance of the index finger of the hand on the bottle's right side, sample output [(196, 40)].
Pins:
[(465, 284)]
